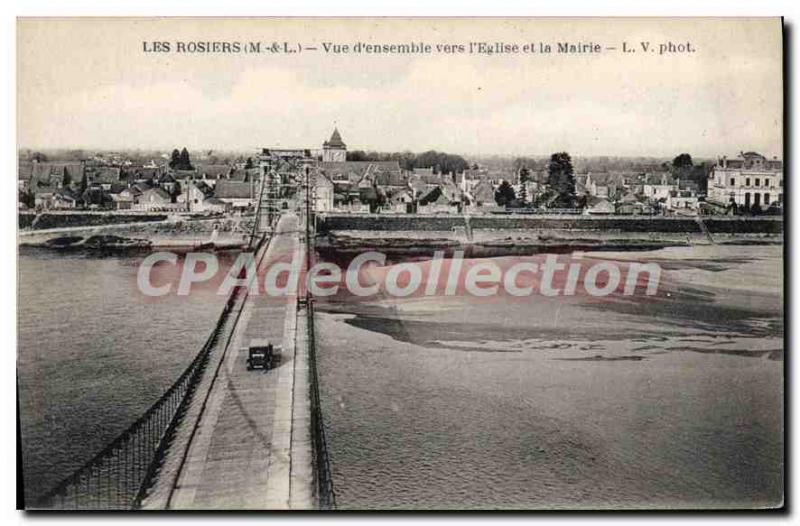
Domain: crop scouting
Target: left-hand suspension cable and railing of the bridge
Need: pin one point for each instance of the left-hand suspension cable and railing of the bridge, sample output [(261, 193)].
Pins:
[(117, 476)]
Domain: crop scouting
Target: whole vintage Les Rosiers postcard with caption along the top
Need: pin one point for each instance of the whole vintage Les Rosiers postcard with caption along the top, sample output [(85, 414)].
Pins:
[(401, 263)]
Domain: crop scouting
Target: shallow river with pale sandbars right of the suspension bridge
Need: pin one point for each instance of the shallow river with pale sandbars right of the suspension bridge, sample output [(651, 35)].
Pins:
[(671, 402)]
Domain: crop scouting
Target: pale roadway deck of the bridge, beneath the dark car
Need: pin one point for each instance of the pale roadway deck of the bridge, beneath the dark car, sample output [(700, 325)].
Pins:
[(240, 454)]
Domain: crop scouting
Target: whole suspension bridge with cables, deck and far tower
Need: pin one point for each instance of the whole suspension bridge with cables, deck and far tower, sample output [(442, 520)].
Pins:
[(223, 436)]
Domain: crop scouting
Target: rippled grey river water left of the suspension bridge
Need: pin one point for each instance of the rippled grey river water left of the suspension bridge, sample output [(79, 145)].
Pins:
[(93, 354)]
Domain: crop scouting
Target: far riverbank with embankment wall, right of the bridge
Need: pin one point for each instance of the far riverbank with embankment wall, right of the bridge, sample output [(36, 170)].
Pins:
[(483, 236)]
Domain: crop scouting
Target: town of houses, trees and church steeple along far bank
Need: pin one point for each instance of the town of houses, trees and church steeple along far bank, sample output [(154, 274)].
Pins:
[(405, 183)]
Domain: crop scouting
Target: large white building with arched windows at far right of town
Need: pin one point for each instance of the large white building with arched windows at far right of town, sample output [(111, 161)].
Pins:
[(748, 180)]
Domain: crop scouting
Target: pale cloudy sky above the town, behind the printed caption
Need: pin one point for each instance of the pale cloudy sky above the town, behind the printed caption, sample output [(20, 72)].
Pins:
[(88, 83)]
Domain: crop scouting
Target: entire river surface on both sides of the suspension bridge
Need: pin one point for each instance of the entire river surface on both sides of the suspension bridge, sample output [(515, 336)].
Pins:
[(432, 403)]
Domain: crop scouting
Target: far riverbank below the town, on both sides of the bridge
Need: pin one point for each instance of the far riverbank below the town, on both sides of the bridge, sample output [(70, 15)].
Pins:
[(485, 237)]
